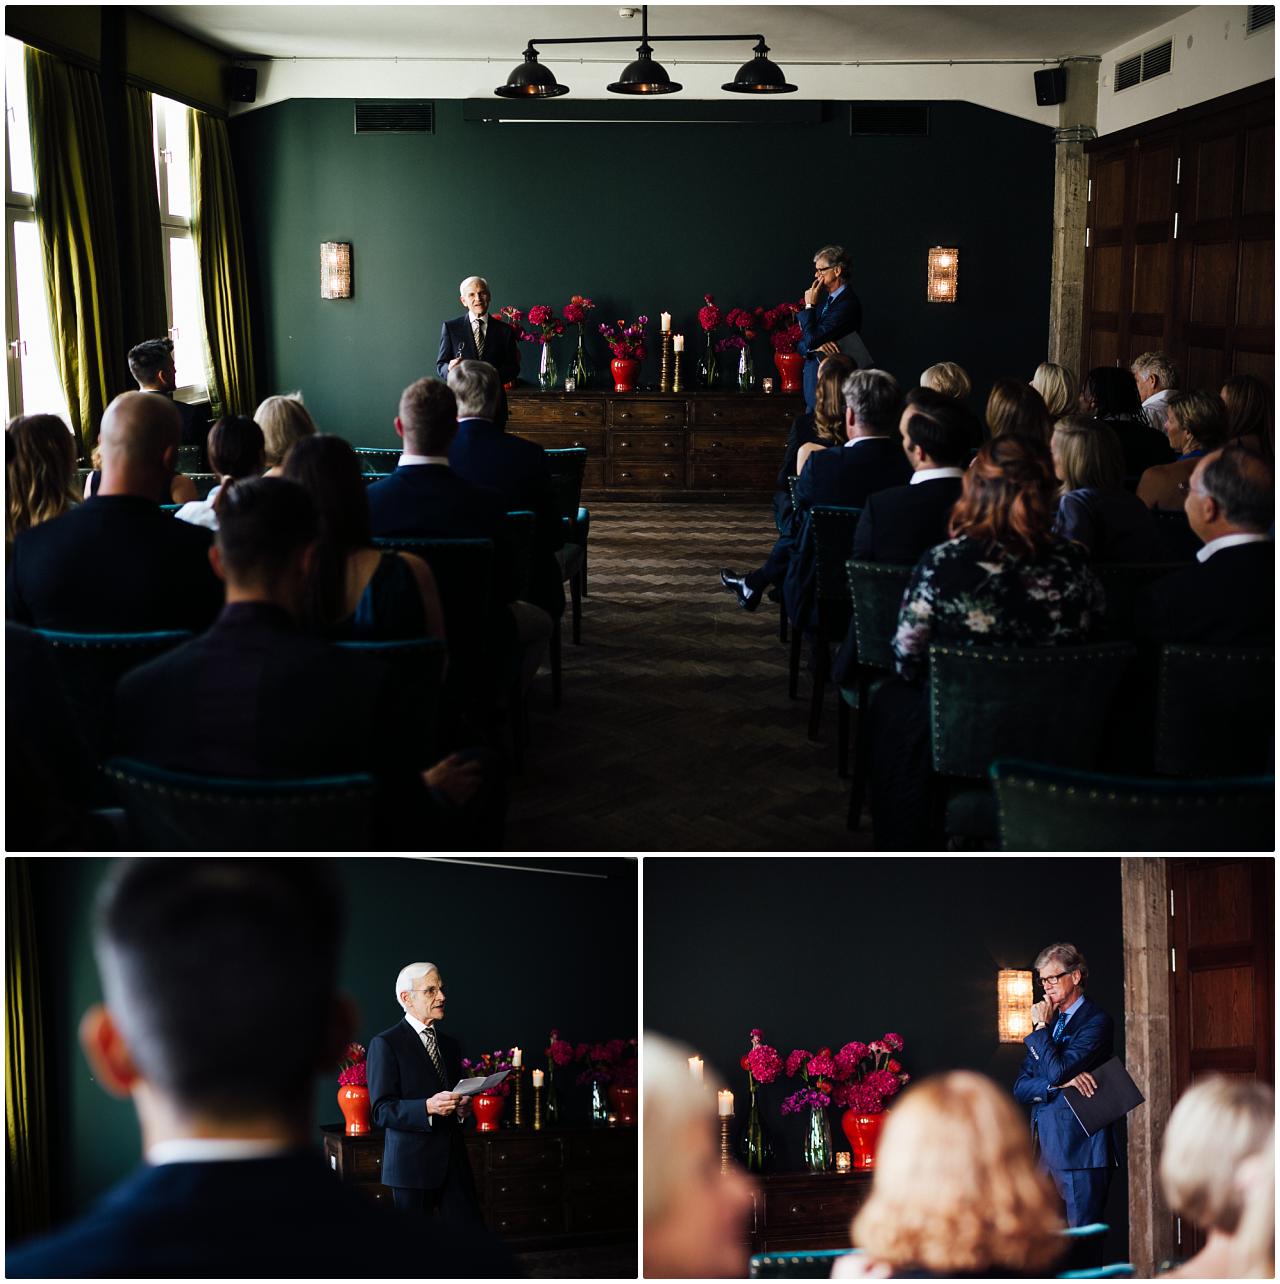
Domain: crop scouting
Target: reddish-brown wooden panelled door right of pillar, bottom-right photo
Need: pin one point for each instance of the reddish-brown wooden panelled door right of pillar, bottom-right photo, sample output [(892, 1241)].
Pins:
[(1223, 976)]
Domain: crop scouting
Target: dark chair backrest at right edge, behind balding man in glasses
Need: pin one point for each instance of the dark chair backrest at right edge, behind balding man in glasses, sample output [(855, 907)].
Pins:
[(1215, 711)]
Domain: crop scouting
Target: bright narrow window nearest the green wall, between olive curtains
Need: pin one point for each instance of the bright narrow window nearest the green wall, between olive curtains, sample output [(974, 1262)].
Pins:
[(182, 270)]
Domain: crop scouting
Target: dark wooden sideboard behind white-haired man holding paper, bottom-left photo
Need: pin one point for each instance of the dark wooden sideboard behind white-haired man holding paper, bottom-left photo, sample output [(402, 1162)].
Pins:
[(557, 1188)]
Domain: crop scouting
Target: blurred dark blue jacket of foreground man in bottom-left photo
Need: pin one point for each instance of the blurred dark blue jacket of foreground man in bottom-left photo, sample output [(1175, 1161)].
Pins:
[(277, 1219)]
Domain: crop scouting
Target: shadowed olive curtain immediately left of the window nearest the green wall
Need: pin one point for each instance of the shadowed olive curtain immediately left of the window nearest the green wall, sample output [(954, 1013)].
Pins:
[(142, 248)]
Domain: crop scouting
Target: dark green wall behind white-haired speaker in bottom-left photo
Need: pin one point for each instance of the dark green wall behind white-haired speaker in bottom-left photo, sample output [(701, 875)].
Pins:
[(521, 952)]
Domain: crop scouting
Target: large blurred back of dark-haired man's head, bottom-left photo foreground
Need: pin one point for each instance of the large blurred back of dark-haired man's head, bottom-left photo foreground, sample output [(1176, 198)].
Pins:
[(221, 974)]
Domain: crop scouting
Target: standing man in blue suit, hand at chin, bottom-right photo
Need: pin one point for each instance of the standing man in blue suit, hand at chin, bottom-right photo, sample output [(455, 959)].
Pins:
[(1071, 1037)]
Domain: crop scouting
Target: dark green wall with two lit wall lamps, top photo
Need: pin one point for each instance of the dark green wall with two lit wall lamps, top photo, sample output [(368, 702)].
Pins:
[(641, 218)]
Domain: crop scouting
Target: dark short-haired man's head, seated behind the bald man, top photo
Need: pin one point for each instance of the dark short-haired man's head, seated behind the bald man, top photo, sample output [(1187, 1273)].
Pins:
[(264, 527)]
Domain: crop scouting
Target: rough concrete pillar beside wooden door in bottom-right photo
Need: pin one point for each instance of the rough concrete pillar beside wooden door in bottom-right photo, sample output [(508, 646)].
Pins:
[(1148, 1054)]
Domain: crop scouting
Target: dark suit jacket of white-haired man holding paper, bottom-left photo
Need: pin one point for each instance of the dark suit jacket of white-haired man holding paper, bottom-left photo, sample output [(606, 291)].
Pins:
[(418, 1150)]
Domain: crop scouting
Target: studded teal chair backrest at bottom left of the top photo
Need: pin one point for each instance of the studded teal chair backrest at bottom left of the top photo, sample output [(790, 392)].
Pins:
[(180, 812)]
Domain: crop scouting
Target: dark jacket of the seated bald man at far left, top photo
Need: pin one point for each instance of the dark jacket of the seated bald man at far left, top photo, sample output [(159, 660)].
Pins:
[(114, 564)]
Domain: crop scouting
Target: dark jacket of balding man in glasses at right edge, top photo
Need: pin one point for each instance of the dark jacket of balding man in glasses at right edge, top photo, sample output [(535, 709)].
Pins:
[(1228, 600)]
